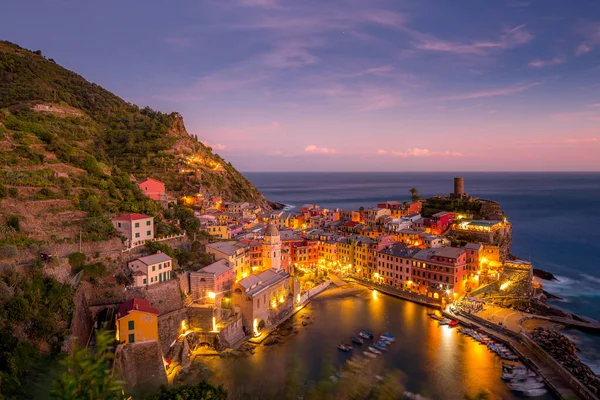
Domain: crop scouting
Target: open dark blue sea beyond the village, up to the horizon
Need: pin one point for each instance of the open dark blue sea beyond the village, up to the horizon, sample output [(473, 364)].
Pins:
[(555, 217)]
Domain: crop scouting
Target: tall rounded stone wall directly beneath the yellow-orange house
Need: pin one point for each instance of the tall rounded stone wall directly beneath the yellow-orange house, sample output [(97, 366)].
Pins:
[(141, 366)]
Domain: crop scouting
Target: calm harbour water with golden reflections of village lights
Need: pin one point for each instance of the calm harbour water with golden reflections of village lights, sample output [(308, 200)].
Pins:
[(438, 362)]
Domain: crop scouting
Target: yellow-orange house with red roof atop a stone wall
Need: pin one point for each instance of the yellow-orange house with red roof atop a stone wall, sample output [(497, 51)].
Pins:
[(137, 322)]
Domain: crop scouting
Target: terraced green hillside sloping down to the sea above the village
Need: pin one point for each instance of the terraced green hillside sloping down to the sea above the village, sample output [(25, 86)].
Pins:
[(71, 151)]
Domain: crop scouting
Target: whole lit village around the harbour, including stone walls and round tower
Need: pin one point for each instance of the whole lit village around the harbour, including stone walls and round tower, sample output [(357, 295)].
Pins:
[(267, 265)]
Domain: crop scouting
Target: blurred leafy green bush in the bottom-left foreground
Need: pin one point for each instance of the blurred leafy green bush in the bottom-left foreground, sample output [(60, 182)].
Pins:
[(88, 375)]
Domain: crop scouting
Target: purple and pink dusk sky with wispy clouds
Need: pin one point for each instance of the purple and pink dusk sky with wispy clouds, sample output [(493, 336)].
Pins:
[(346, 85)]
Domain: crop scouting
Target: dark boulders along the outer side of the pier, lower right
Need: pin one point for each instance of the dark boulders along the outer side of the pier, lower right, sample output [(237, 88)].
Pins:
[(565, 352)]
